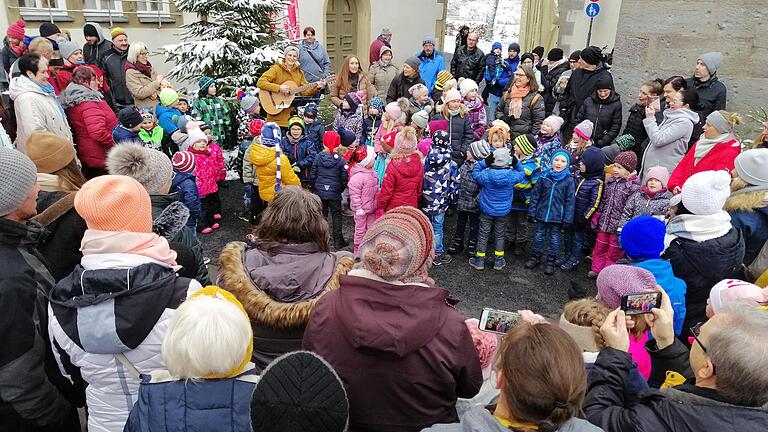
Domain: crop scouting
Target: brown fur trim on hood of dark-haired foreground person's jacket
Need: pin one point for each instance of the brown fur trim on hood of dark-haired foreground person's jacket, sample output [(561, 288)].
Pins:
[(261, 307)]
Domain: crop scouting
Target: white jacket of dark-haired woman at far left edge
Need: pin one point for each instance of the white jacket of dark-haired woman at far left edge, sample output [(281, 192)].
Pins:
[(36, 110)]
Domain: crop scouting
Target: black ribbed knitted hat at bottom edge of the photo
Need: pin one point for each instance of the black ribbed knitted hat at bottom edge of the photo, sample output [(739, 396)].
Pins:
[(299, 392)]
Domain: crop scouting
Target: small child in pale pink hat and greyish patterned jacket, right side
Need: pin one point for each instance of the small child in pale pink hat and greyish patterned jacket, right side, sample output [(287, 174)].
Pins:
[(652, 199)]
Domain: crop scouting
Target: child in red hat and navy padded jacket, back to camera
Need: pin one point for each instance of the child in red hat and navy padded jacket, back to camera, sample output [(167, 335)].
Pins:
[(329, 178)]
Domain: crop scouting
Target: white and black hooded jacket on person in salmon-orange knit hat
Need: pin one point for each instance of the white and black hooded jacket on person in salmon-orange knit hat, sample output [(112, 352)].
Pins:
[(134, 297)]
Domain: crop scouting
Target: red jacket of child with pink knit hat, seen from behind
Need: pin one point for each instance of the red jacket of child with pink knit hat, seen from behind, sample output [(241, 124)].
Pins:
[(402, 183)]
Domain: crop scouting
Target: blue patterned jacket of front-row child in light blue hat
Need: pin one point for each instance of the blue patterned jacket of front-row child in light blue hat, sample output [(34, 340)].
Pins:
[(553, 200)]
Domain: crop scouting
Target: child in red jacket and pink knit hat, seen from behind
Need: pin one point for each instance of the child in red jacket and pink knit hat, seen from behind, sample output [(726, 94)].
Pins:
[(404, 175)]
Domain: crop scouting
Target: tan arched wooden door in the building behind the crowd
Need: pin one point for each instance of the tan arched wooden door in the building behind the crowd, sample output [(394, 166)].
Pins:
[(340, 30)]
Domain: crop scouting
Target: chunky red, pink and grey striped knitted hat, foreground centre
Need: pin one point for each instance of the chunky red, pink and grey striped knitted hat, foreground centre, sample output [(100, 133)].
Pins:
[(399, 245)]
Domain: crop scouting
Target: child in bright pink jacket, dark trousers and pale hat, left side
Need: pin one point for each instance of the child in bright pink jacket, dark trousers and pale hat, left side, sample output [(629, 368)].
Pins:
[(209, 170)]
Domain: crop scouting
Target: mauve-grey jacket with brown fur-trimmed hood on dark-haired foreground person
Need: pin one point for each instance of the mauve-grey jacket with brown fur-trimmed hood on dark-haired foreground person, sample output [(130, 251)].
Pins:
[(279, 290)]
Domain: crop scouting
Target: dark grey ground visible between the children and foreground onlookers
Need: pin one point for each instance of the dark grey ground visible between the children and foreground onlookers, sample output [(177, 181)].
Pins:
[(510, 289)]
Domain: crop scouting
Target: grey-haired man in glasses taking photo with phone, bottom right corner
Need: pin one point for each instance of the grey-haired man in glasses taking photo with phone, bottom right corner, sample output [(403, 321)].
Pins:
[(726, 371)]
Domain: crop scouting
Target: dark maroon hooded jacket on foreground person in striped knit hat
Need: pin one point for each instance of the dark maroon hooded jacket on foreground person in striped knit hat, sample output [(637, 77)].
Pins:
[(403, 352)]
